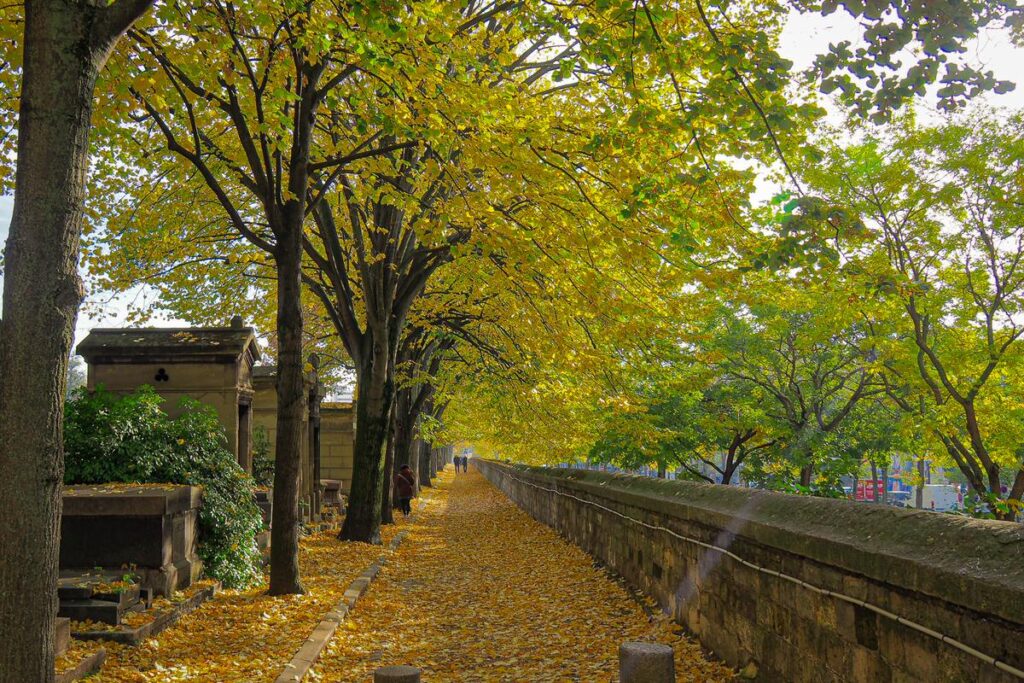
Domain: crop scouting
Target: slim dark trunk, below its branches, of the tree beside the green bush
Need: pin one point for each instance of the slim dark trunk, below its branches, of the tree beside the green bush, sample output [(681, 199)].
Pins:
[(291, 409)]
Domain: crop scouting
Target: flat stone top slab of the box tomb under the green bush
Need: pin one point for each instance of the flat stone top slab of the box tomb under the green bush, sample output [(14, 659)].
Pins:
[(97, 500)]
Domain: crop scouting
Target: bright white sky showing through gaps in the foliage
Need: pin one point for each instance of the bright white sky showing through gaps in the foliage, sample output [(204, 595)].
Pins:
[(805, 36)]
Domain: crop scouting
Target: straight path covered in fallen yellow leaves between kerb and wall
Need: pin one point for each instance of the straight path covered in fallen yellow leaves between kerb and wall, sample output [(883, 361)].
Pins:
[(482, 592)]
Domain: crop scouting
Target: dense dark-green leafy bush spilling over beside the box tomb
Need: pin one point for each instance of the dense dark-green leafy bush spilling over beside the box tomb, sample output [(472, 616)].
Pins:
[(131, 440)]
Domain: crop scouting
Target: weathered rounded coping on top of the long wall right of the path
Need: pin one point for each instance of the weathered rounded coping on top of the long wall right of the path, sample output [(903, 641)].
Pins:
[(974, 564)]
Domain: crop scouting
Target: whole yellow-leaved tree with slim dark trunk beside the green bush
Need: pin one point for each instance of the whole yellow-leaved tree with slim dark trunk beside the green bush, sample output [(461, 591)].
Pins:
[(249, 135)]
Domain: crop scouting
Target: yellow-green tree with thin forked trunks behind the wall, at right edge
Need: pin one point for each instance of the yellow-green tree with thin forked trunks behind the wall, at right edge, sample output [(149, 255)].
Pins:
[(945, 267)]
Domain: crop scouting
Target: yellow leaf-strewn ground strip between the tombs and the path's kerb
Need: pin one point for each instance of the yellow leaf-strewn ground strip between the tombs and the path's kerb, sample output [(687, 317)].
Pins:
[(247, 635)]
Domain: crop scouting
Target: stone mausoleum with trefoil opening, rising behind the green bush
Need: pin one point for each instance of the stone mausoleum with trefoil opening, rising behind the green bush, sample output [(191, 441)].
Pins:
[(210, 365)]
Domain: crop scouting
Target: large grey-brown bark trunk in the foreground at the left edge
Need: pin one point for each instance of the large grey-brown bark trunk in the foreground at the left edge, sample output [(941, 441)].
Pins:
[(65, 48)]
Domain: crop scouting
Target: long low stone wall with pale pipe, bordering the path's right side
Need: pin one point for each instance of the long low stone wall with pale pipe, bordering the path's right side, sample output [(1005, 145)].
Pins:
[(960, 578)]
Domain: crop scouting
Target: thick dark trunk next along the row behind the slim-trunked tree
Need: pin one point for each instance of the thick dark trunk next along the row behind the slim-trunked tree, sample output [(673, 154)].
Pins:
[(375, 386)]
